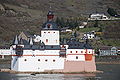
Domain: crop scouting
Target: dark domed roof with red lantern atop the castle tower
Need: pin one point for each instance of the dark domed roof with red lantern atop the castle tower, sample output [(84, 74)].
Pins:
[(50, 25)]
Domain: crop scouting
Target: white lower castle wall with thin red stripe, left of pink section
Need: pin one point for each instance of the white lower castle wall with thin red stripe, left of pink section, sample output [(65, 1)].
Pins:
[(39, 61)]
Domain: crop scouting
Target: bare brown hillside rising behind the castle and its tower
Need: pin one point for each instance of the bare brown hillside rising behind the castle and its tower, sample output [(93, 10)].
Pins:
[(29, 15)]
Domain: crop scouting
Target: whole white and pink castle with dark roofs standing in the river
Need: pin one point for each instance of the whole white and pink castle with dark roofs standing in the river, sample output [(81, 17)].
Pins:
[(45, 53)]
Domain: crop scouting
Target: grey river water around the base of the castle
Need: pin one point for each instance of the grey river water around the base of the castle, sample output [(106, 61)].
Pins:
[(111, 72)]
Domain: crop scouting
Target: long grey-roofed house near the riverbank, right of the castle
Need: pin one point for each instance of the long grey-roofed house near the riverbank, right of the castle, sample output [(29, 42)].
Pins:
[(108, 50)]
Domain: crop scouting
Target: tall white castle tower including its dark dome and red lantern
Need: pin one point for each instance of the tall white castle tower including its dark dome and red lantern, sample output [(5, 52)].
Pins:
[(50, 31)]
